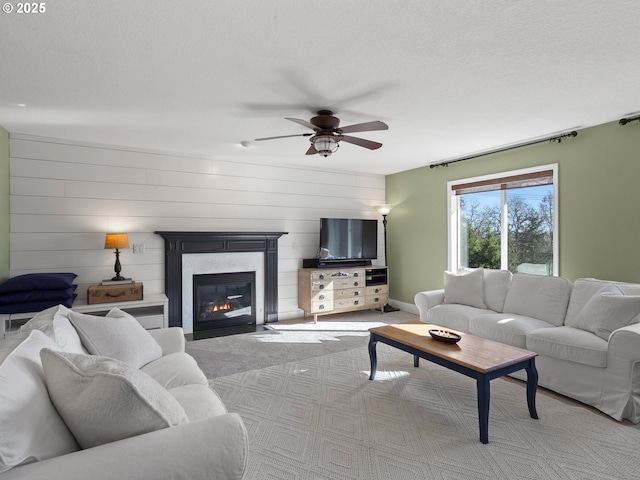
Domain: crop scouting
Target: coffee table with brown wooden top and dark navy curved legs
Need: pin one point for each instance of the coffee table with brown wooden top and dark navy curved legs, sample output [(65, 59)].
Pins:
[(472, 356)]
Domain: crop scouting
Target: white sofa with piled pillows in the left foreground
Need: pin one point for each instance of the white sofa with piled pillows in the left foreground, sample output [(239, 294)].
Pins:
[(136, 407)]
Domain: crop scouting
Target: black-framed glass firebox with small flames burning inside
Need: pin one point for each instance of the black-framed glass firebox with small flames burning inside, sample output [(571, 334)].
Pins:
[(223, 300)]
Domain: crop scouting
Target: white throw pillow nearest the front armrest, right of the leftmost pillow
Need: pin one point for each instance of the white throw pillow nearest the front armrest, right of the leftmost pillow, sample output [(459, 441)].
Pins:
[(103, 400)]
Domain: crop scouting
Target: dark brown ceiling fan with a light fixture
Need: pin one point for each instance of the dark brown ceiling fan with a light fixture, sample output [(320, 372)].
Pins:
[(329, 133)]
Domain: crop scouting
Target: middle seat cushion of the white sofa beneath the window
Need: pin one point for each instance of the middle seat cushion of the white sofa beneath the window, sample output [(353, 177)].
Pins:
[(506, 327)]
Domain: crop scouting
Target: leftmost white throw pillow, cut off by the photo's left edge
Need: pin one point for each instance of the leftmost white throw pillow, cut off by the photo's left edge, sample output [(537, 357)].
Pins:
[(30, 427)]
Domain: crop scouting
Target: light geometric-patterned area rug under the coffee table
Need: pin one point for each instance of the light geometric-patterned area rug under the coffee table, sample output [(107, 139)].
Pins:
[(322, 418)]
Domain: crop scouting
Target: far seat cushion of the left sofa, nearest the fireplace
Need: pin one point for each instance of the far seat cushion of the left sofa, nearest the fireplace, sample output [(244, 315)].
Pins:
[(175, 370)]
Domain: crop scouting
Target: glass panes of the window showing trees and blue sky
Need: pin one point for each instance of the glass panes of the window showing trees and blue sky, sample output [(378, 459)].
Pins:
[(530, 225)]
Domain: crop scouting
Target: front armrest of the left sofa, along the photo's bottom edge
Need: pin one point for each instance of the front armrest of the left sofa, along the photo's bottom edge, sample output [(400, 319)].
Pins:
[(215, 447)]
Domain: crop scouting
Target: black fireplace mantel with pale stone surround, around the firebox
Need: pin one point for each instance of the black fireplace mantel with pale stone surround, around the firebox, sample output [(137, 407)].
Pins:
[(188, 254)]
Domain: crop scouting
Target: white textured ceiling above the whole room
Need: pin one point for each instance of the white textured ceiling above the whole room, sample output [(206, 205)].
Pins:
[(450, 78)]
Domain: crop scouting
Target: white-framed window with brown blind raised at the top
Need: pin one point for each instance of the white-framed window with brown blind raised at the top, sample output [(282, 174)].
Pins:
[(506, 221)]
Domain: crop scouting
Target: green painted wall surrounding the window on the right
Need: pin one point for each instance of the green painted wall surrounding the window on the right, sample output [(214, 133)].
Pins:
[(598, 201)]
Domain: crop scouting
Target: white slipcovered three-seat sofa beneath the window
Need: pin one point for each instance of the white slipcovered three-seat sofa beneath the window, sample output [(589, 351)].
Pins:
[(586, 333)]
